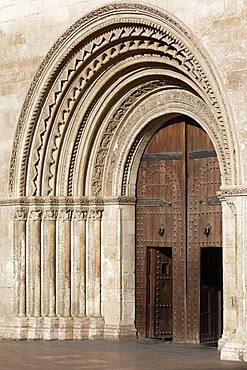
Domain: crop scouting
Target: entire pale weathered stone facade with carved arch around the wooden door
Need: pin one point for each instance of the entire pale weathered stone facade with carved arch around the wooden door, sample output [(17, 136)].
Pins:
[(67, 245)]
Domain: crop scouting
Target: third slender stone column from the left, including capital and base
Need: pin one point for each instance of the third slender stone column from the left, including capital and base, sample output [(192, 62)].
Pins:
[(49, 275)]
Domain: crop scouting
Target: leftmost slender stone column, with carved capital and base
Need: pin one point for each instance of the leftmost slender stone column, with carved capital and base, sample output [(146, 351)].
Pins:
[(20, 220)]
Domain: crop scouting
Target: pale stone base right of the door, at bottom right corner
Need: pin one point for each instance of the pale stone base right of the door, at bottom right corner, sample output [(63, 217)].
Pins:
[(233, 349)]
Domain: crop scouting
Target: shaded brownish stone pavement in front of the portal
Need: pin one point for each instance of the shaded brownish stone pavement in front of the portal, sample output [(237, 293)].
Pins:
[(108, 355)]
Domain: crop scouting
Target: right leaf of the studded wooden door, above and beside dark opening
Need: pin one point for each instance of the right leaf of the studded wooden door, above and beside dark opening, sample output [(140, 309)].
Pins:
[(203, 216)]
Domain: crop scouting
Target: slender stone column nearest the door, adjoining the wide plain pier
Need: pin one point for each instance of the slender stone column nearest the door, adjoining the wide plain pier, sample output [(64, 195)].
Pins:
[(96, 322)]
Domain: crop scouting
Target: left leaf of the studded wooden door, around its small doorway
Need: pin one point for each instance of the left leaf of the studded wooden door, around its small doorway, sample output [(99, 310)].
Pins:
[(161, 202)]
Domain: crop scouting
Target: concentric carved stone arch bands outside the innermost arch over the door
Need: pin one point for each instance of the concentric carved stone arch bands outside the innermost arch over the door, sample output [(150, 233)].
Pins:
[(105, 65)]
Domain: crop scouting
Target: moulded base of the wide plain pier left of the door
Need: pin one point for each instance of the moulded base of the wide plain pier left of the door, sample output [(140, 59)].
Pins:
[(119, 332)]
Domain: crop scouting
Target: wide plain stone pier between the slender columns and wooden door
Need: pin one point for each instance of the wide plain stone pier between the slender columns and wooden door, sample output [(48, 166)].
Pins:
[(118, 268)]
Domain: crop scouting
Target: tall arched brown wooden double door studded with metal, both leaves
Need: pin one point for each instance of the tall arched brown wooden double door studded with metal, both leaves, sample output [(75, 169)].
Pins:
[(177, 210)]
